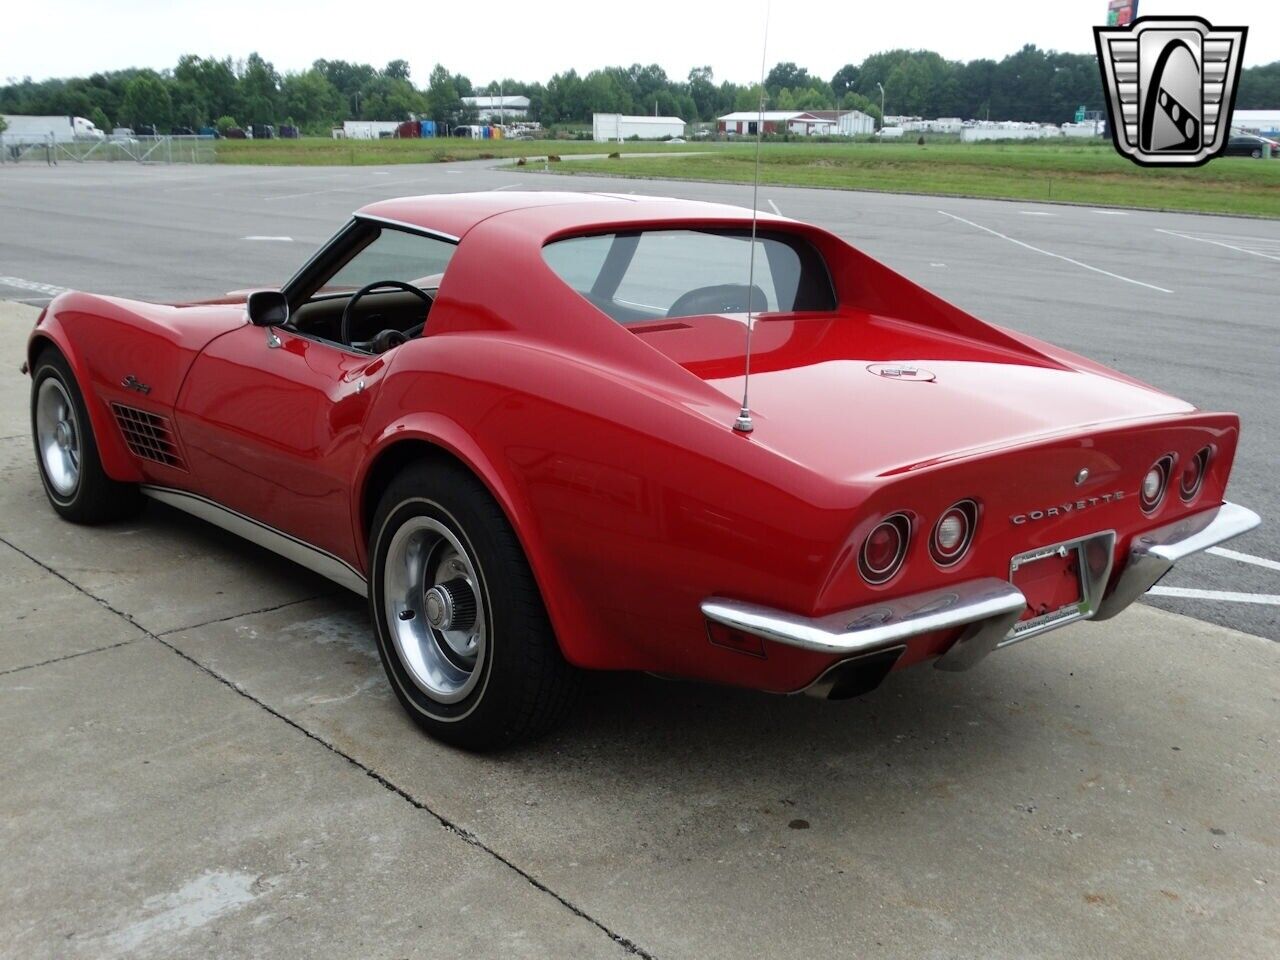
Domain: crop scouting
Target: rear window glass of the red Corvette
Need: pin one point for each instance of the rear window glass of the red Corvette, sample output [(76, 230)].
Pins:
[(647, 276)]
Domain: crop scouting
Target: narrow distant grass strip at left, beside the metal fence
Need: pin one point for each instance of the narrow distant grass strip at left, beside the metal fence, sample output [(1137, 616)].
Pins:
[(318, 152)]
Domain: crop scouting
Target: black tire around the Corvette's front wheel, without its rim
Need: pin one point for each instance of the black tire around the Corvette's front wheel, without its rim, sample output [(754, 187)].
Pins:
[(95, 499)]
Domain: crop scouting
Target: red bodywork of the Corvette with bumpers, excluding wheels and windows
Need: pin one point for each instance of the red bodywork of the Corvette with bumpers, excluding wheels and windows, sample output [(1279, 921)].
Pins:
[(612, 454)]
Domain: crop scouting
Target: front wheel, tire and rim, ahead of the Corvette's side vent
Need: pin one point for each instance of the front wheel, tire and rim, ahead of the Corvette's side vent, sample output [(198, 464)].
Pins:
[(67, 452)]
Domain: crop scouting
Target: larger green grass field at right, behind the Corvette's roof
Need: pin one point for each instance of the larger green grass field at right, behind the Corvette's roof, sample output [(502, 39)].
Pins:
[(1082, 173)]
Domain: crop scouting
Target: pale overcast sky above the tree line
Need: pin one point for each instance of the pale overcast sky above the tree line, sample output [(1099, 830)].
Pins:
[(534, 40)]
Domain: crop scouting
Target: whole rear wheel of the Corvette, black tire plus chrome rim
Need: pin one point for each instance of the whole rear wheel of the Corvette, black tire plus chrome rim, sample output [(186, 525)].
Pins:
[(461, 628)]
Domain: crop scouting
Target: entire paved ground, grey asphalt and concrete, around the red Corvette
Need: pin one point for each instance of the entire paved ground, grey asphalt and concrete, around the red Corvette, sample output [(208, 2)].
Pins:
[(202, 755)]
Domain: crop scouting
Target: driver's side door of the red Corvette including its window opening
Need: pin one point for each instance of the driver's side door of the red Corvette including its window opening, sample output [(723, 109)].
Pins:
[(273, 417)]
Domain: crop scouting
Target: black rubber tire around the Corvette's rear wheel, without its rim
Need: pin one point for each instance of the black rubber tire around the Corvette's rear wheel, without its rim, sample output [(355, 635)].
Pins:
[(522, 684)]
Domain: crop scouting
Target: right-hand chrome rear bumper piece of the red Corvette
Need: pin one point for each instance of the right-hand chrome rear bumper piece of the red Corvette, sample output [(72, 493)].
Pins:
[(1153, 555)]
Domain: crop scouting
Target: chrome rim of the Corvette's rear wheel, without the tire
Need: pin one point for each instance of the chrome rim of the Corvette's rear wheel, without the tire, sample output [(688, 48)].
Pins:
[(435, 610)]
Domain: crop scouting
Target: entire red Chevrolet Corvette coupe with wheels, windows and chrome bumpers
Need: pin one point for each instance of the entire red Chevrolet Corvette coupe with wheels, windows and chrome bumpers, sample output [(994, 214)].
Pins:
[(515, 423)]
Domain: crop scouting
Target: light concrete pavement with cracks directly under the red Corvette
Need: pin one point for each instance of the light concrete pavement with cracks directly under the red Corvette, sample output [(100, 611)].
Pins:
[(200, 757)]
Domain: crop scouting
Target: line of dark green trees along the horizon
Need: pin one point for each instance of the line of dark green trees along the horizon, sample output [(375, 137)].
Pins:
[(1030, 85)]
